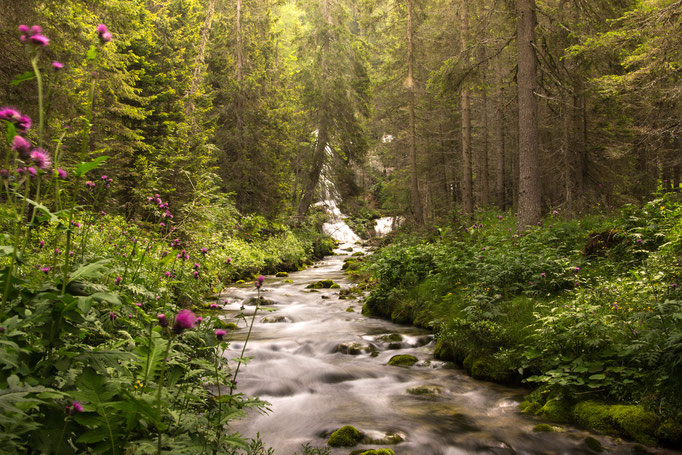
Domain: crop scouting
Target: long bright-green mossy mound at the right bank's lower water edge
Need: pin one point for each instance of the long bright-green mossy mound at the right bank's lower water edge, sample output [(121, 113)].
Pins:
[(631, 421)]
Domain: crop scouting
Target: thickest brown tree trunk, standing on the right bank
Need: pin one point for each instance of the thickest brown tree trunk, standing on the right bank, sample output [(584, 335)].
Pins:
[(529, 170)]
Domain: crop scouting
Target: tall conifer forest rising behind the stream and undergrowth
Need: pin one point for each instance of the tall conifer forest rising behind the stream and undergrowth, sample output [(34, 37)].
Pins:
[(410, 107)]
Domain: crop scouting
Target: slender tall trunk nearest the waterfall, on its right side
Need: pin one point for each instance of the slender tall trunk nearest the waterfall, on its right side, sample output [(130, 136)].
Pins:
[(417, 211)]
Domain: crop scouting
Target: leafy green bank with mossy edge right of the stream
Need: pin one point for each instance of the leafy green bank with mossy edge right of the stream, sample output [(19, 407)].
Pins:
[(583, 311)]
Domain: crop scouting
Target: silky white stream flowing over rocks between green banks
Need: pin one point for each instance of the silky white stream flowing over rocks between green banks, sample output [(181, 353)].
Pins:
[(322, 366)]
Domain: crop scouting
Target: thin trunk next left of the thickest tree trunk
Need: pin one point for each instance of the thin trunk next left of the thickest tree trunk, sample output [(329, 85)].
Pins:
[(467, 178)]
